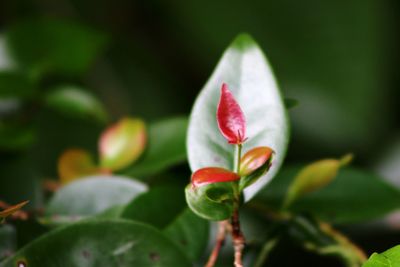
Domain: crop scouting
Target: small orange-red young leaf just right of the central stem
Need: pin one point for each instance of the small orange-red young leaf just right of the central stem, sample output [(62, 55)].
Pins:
[(254, 159)]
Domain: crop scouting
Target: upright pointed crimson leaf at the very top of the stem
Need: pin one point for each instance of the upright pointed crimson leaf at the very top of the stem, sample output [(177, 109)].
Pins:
[(230, 117)]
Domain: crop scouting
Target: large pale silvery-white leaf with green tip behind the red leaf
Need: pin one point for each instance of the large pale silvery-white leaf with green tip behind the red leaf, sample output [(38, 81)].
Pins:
[(245, 69)]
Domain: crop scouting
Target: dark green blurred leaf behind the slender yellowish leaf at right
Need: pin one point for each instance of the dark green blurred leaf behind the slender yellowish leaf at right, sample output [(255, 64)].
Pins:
[(354, 196)]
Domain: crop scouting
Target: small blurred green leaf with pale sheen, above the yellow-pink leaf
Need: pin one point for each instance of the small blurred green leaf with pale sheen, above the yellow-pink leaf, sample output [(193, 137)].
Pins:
[(74, 101)]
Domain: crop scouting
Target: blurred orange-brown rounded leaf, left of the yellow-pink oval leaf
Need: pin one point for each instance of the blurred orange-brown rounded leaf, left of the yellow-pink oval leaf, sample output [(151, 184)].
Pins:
[(75, 163)]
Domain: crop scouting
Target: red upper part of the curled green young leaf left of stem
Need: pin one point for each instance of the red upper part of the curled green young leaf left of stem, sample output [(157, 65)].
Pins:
[(211, 175)]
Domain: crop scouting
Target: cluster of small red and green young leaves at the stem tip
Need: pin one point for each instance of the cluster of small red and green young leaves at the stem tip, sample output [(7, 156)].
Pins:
[(213, 191)]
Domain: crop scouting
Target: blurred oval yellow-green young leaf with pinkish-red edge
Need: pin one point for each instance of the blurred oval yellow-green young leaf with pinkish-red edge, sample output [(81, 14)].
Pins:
[(122, 143)]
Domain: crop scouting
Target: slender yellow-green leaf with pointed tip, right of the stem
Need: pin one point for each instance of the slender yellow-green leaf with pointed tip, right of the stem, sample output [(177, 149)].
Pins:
[(313, 177)]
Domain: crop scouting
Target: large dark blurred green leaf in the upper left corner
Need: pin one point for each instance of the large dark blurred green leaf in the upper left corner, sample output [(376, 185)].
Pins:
[(49, 45)]
